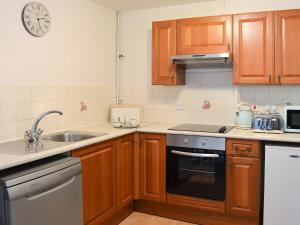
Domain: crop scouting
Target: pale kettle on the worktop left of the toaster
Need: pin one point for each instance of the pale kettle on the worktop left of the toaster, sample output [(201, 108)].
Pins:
[(244, 116)]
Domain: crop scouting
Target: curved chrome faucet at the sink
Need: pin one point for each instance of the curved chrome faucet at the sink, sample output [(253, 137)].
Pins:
[(33, 134)]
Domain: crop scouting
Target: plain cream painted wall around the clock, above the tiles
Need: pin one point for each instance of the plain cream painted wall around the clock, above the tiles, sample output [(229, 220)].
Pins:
[(79, 49)]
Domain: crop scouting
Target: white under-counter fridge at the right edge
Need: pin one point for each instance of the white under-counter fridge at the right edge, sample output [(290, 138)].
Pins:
[(282, 185)]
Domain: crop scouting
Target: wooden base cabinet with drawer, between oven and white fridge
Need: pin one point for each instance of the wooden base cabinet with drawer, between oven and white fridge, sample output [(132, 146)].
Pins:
[(243, 178)]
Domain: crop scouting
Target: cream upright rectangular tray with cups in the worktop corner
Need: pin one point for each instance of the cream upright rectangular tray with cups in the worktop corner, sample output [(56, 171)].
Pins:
[(126, 116)]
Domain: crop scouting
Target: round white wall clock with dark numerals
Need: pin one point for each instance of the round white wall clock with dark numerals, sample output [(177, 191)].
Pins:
[(36, 19)]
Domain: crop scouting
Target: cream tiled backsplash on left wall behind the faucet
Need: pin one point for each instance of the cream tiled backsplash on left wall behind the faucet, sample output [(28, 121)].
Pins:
[(20, 105)]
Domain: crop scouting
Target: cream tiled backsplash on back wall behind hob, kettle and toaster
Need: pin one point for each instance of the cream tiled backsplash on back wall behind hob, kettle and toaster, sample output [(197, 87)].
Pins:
[(207, 85)]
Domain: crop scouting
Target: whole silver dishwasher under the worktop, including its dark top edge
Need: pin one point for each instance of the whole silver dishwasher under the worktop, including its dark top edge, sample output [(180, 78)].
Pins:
[(44, 193)]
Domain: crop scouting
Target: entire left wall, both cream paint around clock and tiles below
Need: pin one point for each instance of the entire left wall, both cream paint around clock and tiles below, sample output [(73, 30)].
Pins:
[(72, 63)]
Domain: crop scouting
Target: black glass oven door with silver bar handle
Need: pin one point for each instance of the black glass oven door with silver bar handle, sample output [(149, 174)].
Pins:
[(196, 172)]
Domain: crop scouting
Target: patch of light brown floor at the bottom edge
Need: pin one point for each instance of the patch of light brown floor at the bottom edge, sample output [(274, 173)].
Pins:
[(145, 219)]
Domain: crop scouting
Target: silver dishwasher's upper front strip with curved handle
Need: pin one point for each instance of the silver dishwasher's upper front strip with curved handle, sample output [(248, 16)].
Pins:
[(43, 185)]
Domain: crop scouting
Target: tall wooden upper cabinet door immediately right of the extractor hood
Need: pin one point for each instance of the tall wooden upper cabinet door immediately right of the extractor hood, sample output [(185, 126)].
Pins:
[(253, 48)]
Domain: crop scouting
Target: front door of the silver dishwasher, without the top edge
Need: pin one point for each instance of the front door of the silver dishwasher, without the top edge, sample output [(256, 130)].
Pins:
[(54, 199)]
